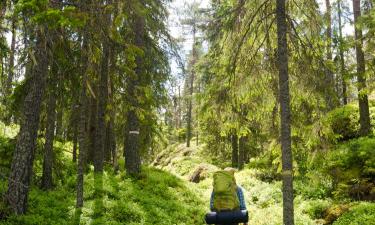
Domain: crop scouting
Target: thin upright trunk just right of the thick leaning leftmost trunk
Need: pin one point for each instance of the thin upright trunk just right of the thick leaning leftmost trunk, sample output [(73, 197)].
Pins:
[(47, 182)]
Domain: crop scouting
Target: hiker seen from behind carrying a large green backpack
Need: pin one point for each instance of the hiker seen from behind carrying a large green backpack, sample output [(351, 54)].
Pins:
[(226, 194)]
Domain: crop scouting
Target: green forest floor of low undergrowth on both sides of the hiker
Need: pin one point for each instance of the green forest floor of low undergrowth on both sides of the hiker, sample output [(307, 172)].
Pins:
[(163, 195)]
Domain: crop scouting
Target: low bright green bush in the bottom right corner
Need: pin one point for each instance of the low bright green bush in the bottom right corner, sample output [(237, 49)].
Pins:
[(363, 213)]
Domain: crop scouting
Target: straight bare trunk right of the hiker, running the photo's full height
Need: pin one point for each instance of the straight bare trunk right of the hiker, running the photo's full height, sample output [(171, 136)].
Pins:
[(287, 166)]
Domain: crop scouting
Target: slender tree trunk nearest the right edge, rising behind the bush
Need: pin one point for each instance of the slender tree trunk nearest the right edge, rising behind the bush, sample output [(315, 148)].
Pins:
[(364, 115)]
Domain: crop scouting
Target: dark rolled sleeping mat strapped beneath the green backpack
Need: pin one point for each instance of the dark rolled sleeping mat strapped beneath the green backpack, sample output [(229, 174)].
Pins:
[(237, 216)]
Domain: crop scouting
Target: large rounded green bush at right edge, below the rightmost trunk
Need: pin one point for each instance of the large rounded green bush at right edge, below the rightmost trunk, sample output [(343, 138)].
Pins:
[(345, 171)]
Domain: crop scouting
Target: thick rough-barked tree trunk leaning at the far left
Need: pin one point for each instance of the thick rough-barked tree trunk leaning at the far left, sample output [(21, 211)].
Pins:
[(23, 158)]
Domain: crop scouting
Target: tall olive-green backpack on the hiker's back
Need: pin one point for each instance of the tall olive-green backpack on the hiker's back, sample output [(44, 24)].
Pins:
[(225, 191)]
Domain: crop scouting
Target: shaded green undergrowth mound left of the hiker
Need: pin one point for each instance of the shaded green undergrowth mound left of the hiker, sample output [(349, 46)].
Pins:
[(157, 197)]
